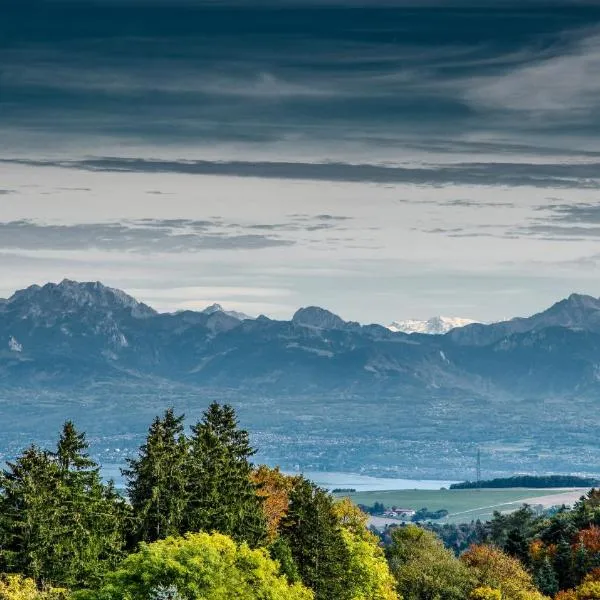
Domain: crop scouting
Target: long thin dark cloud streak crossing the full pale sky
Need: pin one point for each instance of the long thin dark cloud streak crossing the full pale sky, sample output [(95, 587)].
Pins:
[(584, 176)]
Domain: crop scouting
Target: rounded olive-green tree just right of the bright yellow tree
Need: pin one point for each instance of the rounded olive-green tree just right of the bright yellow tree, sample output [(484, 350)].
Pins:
[(424, 569)]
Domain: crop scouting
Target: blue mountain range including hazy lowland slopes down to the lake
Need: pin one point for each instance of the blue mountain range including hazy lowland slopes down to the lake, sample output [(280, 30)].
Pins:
[(533, 380)]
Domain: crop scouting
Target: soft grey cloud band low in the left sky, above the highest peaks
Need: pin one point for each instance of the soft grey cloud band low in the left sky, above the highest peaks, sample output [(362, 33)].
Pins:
[(143, 236)]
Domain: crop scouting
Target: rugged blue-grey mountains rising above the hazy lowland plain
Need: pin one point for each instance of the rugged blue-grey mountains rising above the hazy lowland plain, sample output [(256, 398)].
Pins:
[(62, 333)]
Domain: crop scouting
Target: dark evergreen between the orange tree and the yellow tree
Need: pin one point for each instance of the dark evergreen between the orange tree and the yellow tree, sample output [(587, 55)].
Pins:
[(314, 535)]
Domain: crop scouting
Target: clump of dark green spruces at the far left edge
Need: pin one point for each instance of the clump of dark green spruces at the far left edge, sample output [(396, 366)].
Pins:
[(60, 524)]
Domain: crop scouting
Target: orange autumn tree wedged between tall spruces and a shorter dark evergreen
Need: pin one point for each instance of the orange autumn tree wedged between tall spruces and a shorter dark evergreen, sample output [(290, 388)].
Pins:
[(275, 487)]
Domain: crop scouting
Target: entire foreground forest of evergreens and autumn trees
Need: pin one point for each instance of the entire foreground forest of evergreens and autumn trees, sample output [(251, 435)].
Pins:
[(200, 521)]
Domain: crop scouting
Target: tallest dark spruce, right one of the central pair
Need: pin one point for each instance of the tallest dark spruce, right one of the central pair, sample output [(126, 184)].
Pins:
[(222, 496)]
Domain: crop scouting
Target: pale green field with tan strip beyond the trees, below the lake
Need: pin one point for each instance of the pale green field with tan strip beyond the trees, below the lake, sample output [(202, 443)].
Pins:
[(463, 505)]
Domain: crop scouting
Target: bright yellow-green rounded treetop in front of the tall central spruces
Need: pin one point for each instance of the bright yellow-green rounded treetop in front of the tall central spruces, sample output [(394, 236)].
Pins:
[(199, 566)]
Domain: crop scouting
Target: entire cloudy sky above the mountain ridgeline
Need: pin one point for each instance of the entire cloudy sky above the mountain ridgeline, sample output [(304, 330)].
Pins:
[(386, 161)]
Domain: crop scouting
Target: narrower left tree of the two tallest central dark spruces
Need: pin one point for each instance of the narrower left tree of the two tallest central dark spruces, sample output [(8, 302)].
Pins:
[(156, 480)]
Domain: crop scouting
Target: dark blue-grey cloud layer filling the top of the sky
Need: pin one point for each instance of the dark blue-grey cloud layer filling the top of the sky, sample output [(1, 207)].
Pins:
[(249, 73)]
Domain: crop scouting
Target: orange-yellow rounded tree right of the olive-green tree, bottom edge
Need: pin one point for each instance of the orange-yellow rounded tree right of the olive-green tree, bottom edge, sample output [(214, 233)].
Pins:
[(492, 567)]
